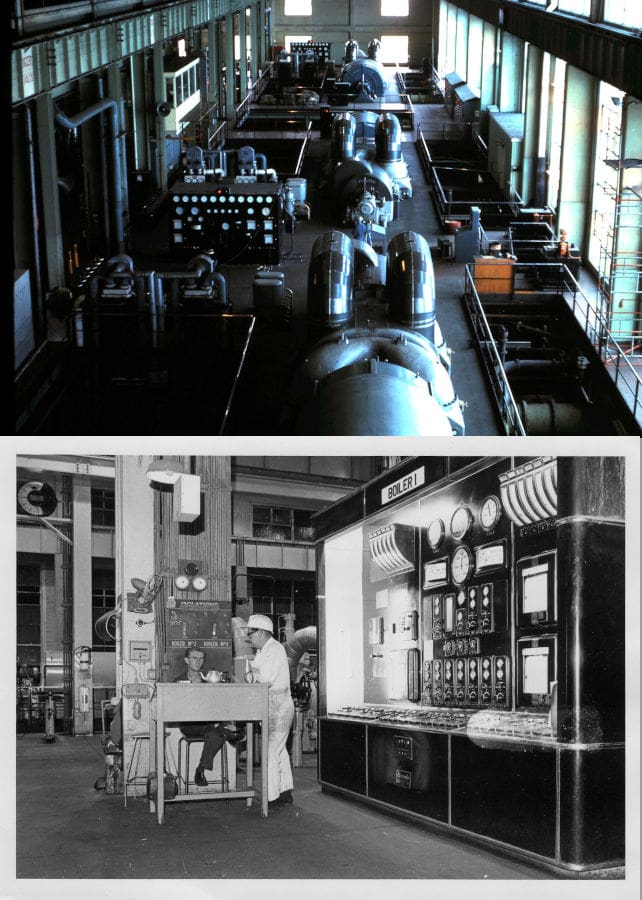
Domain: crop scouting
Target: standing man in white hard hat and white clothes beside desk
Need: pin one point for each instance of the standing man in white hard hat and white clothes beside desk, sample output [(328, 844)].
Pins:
[(270, 666)]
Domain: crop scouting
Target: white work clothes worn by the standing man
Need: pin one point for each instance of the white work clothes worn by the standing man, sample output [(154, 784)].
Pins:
[(270, 666)]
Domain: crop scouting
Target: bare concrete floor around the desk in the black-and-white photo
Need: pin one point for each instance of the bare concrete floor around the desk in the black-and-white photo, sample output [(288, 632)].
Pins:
[(65, 829)]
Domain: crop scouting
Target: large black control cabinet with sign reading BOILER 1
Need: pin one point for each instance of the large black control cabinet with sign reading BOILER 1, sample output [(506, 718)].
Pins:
[(459, 642)]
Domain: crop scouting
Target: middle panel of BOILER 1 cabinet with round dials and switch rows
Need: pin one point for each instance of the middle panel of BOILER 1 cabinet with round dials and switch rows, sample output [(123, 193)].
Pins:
[(465, 561)]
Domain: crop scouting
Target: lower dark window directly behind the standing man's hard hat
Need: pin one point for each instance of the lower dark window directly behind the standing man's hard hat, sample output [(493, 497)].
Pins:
[(280, 597)]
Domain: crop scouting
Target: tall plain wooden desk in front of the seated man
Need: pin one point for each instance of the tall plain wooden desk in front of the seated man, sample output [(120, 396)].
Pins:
[(174, 703)]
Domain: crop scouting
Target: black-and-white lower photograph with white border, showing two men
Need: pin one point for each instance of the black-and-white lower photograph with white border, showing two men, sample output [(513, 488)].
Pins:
[(346, 667)]
